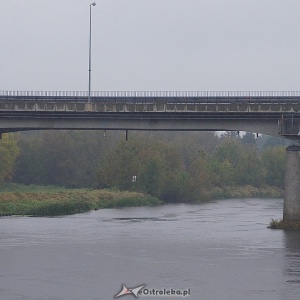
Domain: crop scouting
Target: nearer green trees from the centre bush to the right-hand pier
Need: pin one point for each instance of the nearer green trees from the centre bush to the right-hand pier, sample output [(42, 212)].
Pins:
[(161, 171)]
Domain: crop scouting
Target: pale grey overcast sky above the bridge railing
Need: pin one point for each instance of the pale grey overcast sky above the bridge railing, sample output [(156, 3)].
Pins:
[(153, 45)]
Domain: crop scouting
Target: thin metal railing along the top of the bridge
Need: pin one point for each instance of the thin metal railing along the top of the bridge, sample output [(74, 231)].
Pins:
[(140, 94)]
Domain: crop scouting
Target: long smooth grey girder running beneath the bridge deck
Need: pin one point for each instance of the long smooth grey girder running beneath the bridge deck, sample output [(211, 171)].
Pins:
[(135, 121)]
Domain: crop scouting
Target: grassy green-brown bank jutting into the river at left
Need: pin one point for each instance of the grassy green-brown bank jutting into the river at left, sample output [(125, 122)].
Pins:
[(54, 201)]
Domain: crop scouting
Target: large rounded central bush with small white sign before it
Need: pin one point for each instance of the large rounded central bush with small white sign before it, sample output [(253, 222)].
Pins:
[(154, 163)]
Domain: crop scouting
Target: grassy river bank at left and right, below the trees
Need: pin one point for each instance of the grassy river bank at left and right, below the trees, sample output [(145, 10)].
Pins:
[(35, 200)]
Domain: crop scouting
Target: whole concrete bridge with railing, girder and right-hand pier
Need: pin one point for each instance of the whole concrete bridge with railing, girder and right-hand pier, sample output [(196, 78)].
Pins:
[(271, 113)]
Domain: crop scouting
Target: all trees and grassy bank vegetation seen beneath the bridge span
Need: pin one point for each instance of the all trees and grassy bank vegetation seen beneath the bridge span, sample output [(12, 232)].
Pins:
[(171, 166)]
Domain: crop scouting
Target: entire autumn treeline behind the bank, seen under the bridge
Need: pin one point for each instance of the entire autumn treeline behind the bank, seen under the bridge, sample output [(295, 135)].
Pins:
[(173, 166)]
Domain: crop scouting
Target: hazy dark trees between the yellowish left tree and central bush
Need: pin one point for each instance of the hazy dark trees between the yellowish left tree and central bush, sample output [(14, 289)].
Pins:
[(64, 158)]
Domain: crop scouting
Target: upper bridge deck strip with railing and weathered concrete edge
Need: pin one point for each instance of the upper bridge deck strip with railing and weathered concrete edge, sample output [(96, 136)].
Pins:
[(158, 102)]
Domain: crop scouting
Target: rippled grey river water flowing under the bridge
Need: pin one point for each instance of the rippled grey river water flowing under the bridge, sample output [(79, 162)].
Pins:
[(218, 250)]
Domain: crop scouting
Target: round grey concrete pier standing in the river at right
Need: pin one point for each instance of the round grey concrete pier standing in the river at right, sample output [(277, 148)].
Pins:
[(291, 209)]
